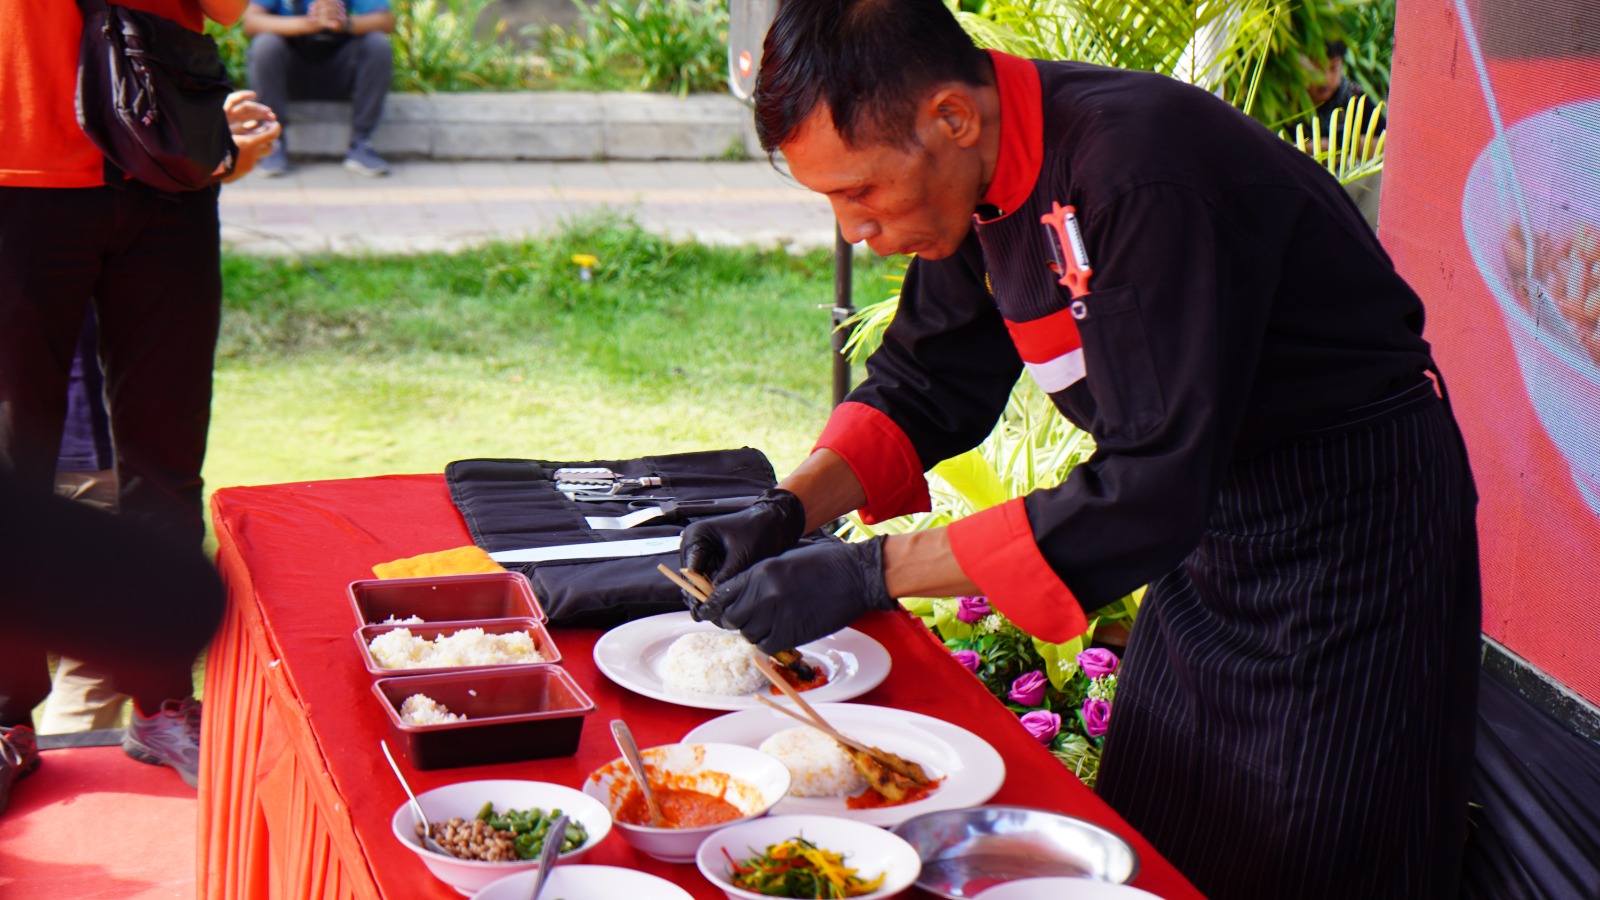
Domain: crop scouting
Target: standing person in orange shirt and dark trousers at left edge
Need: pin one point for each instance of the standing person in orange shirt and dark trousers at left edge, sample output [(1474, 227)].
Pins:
[(151, 267)]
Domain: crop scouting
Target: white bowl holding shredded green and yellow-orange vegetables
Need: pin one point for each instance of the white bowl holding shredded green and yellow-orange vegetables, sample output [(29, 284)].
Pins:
[(866, 848)]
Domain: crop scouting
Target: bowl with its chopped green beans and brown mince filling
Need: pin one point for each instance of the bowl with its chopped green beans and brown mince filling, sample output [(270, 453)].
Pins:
[(497, 829)]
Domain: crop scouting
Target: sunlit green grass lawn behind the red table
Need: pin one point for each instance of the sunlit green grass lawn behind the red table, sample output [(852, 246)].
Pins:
[(346, 368)]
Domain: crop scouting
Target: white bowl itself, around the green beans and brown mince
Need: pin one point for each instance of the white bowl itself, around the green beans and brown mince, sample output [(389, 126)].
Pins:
[(466, 798)]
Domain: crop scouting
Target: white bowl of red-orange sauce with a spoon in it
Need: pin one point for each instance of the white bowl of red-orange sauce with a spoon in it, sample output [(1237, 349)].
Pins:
[(746, 777)]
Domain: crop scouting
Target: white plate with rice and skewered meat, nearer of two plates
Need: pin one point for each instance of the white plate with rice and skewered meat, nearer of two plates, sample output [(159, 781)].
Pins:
[(972, 769)]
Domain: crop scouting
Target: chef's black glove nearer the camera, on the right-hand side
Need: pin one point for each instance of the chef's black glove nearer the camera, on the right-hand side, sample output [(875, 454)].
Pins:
[(799, 597)]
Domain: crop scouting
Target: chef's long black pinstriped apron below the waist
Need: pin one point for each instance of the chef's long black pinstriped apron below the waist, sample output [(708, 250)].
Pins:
[(1297, 710)]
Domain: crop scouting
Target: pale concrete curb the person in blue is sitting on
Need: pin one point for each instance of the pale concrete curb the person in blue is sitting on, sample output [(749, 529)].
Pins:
[(529, 126)]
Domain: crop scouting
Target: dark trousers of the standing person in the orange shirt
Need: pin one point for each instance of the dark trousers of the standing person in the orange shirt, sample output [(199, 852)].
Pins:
[(151, 267)]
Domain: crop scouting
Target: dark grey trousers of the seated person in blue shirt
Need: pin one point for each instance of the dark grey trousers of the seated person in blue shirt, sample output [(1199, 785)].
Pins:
[(359, 71)]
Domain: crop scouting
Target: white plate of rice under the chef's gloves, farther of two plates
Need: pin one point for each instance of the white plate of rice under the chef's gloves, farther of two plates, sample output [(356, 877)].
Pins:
[(633, 656)]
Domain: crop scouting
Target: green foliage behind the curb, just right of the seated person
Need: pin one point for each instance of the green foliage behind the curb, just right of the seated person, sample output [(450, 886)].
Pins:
[(439, 47)]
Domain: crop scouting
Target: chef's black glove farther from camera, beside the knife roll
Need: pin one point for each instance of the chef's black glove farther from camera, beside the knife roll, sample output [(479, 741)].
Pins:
[(724, 547)]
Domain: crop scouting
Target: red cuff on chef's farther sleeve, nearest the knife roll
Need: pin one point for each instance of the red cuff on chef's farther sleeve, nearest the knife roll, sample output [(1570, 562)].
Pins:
[(882, 459)]
